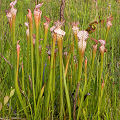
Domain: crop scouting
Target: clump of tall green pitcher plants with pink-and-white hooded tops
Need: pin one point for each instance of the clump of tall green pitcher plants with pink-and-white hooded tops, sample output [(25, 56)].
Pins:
[(53, 83)]
